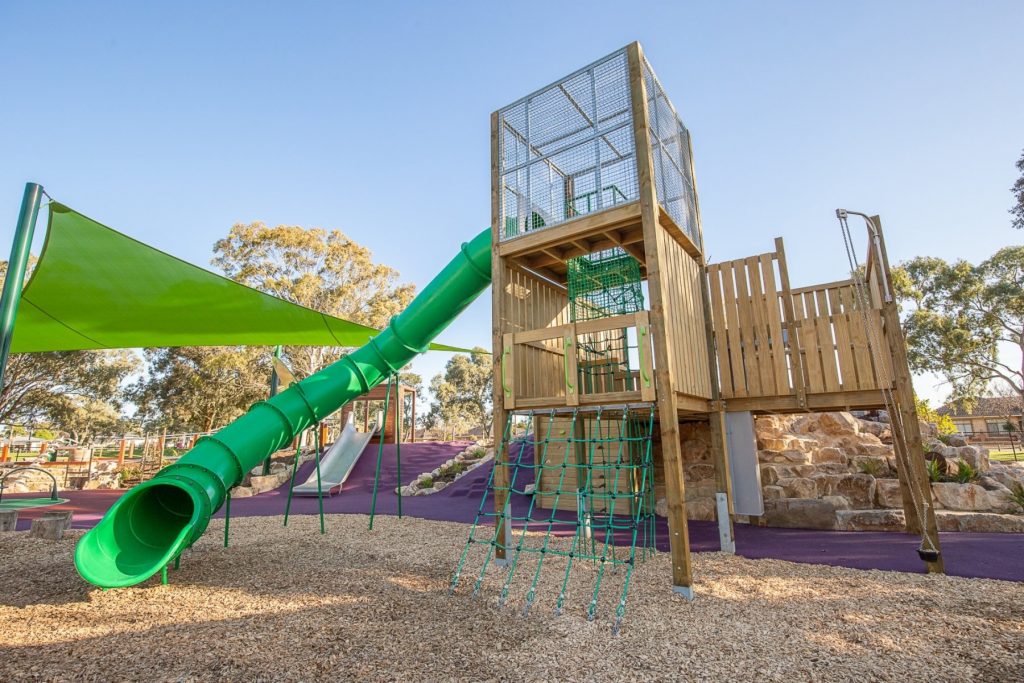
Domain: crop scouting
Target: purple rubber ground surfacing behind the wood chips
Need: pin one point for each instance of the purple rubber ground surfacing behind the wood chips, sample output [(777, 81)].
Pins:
[(972, 556)]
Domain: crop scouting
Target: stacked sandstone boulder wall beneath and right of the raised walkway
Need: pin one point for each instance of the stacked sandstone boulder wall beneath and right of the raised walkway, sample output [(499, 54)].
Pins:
[(838, 472)]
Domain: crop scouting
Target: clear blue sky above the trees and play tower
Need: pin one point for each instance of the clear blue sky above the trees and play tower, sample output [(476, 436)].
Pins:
[(172, 121)]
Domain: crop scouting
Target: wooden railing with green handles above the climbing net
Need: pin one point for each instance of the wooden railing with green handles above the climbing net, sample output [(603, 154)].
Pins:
[(574, 376)]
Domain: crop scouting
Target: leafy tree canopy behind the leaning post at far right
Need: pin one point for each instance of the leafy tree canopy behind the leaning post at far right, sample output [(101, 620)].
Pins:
[(966, 322)]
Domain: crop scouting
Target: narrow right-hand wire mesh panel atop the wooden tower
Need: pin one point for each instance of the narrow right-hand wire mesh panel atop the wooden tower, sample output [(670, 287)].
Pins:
[(670, 143)]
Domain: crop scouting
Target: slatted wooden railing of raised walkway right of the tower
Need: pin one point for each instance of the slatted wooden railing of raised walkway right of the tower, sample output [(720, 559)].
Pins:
[(774, 341)]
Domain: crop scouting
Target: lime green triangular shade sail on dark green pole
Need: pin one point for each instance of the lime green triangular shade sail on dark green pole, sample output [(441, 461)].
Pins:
[(95, 288)]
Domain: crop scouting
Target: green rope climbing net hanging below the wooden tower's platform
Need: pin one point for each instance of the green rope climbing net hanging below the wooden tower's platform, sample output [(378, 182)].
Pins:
[(579, 496)]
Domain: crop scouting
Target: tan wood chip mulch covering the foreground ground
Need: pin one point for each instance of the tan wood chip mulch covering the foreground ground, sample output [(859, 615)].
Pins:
[(290, 605)]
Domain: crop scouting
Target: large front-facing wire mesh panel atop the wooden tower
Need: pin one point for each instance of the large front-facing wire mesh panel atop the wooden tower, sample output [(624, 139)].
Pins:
[(568, 150)]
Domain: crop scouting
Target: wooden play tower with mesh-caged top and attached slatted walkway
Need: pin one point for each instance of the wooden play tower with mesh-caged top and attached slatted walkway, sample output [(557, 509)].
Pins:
[(596, 172)]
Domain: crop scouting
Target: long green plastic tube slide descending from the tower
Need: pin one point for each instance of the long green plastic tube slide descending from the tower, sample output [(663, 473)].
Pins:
[(153, 524)]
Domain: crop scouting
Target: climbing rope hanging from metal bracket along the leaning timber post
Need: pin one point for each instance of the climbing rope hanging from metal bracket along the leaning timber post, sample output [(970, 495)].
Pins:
[(928, 549)]
